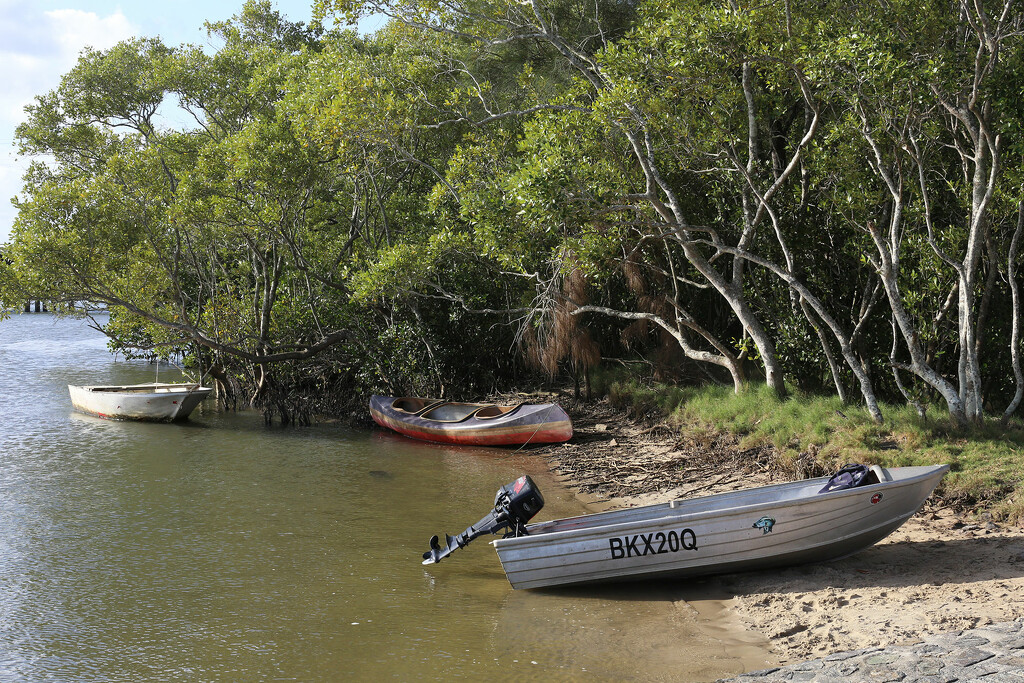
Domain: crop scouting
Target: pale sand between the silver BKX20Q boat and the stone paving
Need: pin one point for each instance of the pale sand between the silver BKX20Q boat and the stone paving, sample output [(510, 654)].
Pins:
[(934, 575)]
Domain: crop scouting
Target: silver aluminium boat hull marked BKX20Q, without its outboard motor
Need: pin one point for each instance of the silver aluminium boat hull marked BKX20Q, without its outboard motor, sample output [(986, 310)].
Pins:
[(757, 529)]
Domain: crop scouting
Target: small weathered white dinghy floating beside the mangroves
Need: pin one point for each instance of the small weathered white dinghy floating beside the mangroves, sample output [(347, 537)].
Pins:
[(152, 403)]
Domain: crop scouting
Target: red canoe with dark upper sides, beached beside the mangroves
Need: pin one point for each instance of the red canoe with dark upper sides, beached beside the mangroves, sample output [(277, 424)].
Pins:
[(473, 424)]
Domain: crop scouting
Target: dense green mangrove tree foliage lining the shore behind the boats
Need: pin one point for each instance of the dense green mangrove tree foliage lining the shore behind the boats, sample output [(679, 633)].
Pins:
[(401, 211)]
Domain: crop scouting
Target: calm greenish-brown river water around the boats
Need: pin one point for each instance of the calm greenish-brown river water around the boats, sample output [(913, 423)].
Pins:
[(224, 550)]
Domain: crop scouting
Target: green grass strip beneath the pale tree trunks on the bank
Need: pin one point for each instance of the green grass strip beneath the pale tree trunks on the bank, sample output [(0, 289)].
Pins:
[(987, 462)]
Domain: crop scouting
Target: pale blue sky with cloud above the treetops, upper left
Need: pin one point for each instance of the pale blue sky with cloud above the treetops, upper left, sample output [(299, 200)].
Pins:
[(41, 39)]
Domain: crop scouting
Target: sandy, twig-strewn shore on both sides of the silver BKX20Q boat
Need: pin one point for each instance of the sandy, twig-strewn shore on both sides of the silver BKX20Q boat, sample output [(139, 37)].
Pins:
[(940, 573)]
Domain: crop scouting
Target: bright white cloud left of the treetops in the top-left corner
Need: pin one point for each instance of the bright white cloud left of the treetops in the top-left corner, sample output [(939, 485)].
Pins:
[(36, 49)]
